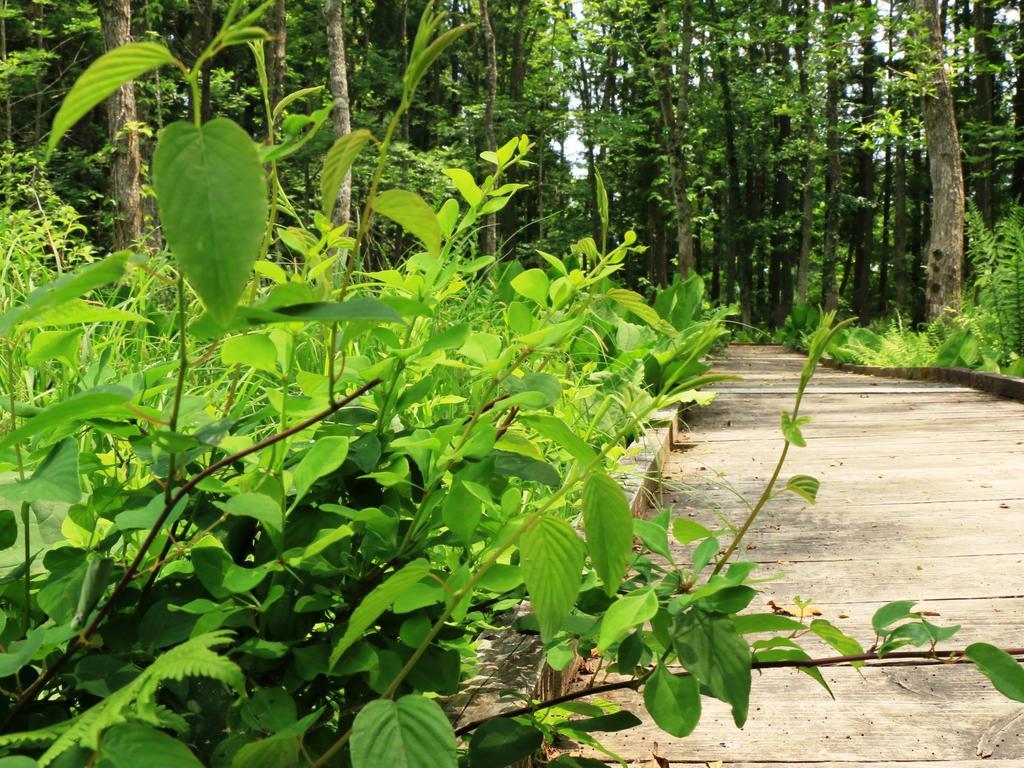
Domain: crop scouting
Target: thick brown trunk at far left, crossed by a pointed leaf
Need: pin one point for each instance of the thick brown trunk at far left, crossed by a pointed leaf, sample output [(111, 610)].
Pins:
[(121, 114)]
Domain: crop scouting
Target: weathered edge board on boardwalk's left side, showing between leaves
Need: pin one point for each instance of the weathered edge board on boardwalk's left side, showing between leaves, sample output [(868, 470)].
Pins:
[(514, 661)]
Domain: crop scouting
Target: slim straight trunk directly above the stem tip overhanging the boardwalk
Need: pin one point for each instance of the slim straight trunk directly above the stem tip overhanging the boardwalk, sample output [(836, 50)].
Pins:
[(834, 176)]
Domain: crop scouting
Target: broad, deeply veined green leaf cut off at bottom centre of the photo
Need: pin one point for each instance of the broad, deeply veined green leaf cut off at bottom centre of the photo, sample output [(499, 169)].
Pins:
[(412, 733)]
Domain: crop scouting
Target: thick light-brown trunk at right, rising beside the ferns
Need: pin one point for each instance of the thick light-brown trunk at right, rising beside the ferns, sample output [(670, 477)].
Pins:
[(946, 243)]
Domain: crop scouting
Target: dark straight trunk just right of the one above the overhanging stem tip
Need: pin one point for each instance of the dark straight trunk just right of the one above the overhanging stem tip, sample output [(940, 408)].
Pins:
[(865, 231)]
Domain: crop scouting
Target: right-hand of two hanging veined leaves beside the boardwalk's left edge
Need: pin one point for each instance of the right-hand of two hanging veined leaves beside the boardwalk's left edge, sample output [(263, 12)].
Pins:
[(609, 526)]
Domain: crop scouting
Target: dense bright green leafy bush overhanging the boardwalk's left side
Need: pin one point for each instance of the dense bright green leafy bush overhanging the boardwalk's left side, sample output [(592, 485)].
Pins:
[(265, 526)]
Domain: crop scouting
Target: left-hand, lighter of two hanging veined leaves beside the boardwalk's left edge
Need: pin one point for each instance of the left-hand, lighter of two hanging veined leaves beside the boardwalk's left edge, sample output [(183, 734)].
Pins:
[(551, 561)]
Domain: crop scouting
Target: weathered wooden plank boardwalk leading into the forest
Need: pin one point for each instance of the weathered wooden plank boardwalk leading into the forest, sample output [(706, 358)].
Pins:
[(922, 498)]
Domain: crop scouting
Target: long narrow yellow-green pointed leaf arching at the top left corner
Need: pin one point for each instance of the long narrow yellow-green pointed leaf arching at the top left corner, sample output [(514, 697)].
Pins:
[(104, 77)]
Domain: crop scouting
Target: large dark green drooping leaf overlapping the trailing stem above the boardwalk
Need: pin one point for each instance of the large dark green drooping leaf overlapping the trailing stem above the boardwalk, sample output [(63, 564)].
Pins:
[(710, 648)]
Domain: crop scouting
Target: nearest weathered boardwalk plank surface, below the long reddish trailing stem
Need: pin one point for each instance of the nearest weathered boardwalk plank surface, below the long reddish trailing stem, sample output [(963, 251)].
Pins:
[(889, 714)]
